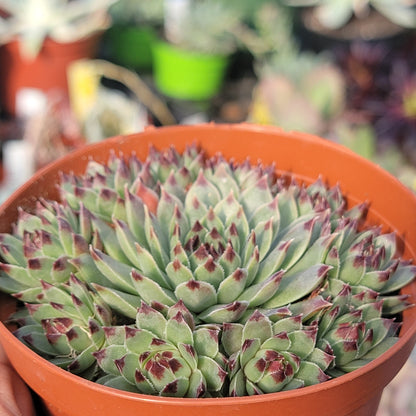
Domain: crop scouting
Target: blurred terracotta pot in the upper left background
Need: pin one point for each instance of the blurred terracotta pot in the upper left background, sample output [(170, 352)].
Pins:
[(46, 72)]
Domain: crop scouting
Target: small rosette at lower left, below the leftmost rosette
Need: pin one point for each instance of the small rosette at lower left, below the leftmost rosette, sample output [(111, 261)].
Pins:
[(67, 327)]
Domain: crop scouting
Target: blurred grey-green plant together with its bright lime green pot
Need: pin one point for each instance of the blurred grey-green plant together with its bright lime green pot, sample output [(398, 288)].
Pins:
[(190, 63)]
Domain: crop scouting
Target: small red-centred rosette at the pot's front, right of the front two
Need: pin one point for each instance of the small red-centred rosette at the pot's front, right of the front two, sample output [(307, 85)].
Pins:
[(267, 357)]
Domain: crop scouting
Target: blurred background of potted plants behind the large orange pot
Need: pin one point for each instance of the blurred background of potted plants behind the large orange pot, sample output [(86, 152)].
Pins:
[(74, 72)]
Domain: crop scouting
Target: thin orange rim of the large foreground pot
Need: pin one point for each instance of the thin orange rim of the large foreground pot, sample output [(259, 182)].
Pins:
[(404, 339)]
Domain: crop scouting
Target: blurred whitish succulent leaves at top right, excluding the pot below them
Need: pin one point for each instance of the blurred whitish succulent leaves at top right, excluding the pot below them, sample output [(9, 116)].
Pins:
[(335, 14)]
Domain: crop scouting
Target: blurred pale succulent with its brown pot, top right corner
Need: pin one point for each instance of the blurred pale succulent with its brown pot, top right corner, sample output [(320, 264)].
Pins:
[(352, 19)]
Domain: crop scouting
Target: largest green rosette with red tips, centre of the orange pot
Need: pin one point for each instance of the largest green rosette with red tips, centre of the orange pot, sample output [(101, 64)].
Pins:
[(214, 235)]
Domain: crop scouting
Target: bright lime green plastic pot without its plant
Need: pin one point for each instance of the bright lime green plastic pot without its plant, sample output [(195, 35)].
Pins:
[(187, 75)]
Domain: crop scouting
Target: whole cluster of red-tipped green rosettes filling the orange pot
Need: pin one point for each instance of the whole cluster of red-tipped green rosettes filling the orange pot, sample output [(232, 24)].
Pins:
[(191, 276)]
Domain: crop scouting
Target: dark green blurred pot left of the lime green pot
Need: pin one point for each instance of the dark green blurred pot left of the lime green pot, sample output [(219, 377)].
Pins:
[(131, 46)]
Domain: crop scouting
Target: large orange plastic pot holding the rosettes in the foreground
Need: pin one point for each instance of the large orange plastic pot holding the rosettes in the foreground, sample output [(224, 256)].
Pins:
[(357, 393)]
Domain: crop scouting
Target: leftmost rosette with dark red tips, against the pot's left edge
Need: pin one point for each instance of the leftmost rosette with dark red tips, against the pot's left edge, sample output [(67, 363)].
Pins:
[(41, 247)]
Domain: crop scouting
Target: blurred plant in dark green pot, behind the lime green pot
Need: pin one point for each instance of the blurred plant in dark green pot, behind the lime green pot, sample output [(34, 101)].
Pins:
[(135, 24)]
